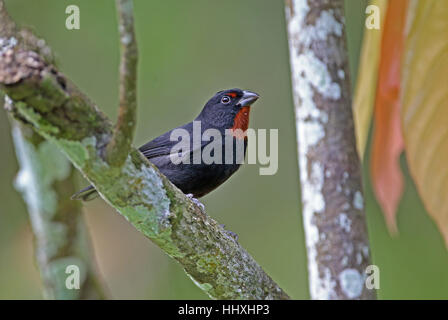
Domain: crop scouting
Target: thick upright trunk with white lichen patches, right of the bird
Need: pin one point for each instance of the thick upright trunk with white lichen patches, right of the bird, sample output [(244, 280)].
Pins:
[(330, 176)]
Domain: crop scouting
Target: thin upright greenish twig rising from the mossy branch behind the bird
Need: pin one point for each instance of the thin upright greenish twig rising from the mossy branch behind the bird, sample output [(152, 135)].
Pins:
[(120, 143)]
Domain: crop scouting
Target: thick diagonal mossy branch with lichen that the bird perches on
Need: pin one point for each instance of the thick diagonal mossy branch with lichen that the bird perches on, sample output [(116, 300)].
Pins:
[(61, 114)]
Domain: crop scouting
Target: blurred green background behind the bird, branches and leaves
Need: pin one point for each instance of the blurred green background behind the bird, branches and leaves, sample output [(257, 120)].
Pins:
[(188, 51)]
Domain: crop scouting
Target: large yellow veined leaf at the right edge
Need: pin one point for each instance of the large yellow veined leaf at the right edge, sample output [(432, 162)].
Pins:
[(425, 105)]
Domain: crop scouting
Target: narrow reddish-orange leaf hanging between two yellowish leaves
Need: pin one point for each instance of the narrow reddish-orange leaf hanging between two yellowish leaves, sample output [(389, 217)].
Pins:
[(387, 138)]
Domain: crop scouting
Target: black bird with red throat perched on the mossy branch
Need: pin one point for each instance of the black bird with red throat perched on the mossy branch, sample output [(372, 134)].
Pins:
[(227, 111)]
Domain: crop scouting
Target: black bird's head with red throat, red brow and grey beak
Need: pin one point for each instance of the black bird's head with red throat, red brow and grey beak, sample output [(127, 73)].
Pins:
[(228, 109)]
